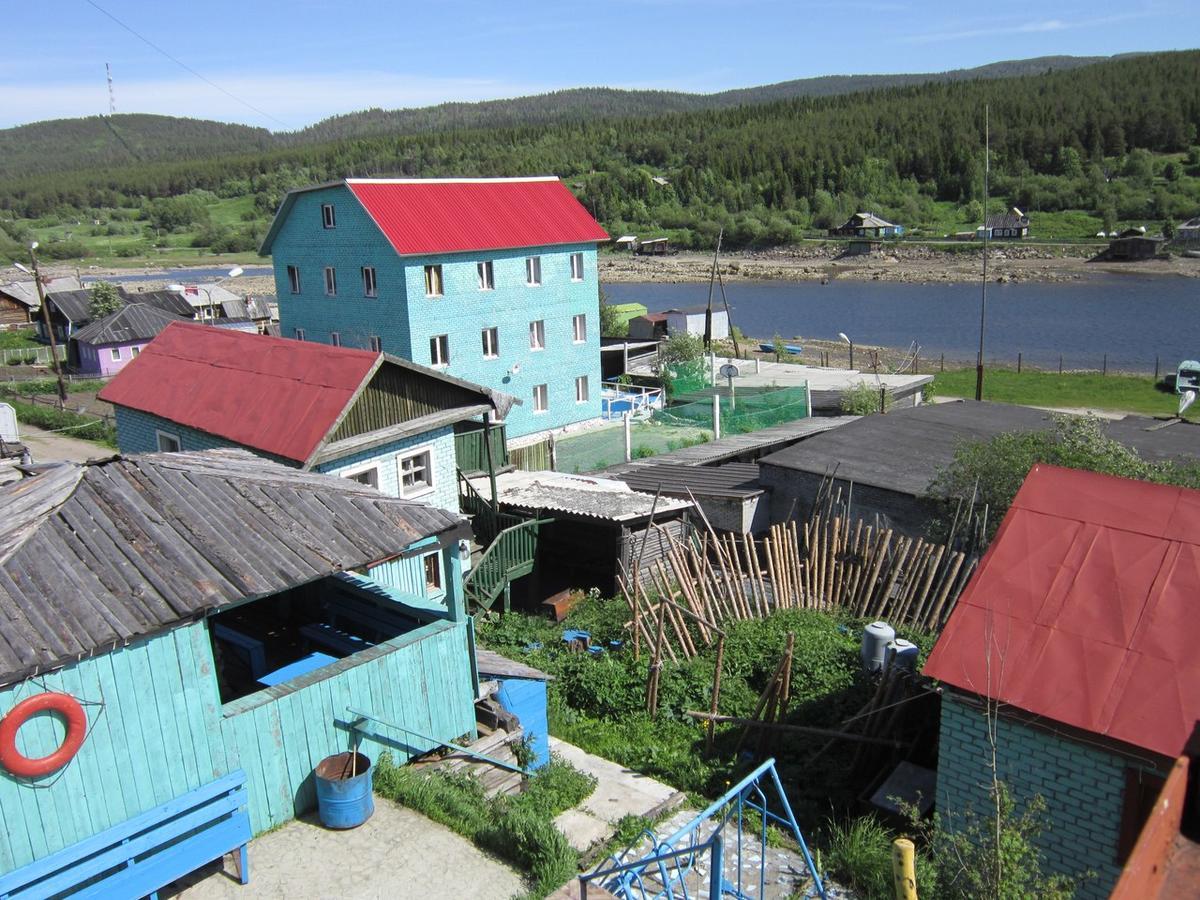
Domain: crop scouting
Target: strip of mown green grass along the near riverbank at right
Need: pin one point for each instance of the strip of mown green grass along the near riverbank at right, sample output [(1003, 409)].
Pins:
[(1131, 394)]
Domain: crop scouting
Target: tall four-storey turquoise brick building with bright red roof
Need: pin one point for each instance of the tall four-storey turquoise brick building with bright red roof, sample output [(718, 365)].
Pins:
[(489, 280)]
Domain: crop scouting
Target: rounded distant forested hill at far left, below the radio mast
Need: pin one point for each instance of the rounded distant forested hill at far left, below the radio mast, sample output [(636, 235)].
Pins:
[(65, 145)]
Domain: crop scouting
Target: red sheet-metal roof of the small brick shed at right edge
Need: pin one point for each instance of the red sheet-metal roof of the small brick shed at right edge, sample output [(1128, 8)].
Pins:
[(1083, 610)]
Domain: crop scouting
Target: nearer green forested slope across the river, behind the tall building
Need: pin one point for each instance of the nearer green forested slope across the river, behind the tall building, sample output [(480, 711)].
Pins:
[(1118, 141)]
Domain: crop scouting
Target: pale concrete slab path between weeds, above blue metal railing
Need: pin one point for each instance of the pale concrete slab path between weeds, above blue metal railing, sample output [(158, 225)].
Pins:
[(620, 793)]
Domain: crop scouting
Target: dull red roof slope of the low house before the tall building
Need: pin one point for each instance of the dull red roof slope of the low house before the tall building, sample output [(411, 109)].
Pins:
[(269, 394)]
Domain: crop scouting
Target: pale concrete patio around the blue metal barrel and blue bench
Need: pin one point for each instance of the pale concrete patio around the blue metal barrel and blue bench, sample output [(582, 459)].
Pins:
[(397, 854)]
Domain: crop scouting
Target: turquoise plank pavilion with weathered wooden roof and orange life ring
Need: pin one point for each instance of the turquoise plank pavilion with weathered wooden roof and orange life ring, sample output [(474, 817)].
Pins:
[(214, 615)]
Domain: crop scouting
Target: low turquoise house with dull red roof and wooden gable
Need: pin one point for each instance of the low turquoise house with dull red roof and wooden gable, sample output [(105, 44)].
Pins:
[(368, 417)]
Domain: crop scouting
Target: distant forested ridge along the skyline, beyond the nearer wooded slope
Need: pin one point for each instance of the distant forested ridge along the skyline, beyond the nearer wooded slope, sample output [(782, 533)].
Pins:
[(67, 145)]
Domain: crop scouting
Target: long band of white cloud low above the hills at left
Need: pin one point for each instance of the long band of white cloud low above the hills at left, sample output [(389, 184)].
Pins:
[(297, 100)]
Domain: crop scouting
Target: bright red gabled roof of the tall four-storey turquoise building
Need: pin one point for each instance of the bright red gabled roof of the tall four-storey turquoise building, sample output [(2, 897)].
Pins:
[(422, 217)]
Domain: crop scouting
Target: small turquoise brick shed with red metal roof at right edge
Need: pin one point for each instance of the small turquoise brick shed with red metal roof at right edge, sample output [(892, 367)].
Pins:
[(1070, 662)]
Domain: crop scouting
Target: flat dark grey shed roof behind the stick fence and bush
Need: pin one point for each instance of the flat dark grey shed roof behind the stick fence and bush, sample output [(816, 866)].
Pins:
[(903, 451)]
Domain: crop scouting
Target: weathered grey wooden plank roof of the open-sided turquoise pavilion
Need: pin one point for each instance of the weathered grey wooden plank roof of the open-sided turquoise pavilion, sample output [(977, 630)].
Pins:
[(98, 555)]
